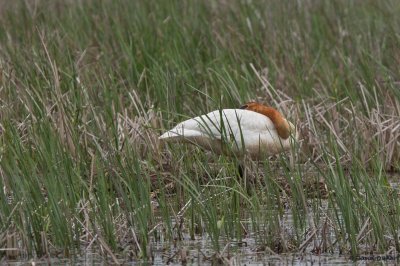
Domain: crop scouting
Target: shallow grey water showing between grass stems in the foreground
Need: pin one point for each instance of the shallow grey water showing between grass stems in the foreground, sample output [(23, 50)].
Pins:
[(245, 252)]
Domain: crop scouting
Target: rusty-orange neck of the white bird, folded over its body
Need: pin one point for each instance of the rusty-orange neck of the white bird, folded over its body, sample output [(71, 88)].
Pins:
[(282, 126)]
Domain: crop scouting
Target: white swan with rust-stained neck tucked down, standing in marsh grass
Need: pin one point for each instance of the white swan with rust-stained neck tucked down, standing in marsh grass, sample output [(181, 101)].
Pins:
[(235, 130)]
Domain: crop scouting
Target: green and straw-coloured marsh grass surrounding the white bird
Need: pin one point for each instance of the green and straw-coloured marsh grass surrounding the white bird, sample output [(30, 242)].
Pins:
[(86, 87)]
